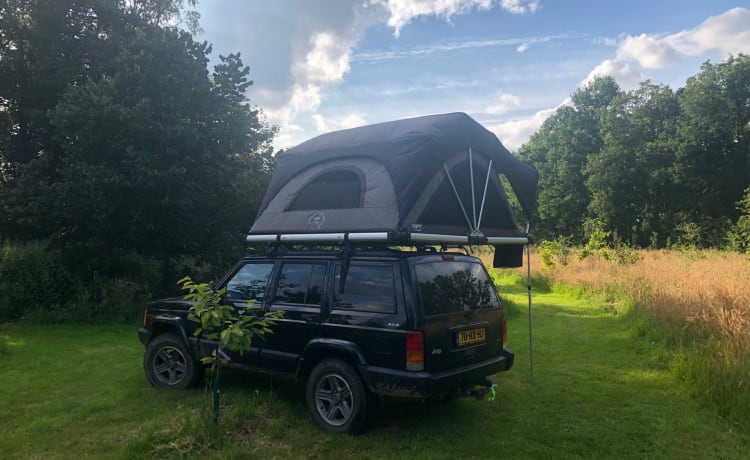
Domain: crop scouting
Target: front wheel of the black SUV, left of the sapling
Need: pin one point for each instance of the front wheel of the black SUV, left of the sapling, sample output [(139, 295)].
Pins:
[(168, 363)]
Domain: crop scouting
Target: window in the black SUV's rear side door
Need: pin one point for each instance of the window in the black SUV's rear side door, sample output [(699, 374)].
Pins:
[(301, 283)]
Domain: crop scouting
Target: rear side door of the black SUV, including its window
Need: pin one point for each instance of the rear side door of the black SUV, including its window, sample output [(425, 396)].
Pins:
[(299, 292)]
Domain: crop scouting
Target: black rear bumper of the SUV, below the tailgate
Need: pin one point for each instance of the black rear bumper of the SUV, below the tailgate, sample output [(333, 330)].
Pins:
[(391, 382)]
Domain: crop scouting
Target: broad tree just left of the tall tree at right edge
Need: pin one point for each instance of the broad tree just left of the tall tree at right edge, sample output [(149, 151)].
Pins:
[(630, 180)]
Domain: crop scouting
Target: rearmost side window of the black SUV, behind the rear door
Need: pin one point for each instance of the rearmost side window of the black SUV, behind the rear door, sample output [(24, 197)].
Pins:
[(368, 287)]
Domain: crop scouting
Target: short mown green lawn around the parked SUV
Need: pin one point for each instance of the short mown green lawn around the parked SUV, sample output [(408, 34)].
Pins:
[(600, 391)]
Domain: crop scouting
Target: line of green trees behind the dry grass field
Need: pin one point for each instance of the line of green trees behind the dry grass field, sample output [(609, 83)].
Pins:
[(654, 166)]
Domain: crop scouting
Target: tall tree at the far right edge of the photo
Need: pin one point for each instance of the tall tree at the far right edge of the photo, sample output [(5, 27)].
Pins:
[(713, 157)]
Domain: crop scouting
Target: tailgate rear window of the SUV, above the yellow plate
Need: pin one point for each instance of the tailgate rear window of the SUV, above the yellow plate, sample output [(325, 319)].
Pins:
[(453, 286)]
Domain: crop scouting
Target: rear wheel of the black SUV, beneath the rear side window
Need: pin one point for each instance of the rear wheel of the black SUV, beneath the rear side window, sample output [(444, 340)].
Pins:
[(337, 399)]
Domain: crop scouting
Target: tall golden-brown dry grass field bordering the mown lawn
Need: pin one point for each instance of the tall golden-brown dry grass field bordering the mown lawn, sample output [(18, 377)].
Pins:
[(699, 301)]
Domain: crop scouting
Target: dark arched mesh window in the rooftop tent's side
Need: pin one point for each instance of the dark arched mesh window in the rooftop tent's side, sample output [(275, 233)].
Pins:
[(337, 189)]
